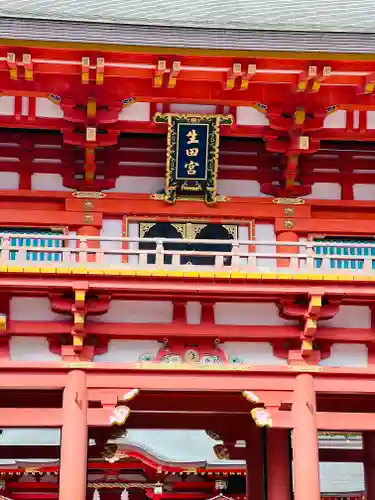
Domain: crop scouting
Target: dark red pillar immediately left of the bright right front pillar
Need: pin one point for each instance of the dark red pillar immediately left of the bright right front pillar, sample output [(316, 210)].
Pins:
[(278, 464)]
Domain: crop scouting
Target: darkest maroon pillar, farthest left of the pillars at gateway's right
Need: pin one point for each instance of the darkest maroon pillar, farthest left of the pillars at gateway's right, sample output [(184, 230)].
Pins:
[(254, 466)]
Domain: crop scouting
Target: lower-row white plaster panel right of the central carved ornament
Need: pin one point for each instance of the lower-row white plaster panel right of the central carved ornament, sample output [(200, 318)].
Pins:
[(251, 353)]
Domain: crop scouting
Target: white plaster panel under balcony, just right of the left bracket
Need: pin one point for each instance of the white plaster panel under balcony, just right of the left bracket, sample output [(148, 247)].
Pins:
[(135, 311)]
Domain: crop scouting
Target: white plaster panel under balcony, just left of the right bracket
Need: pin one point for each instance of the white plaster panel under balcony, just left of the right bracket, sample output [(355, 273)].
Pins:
[(254, 313)]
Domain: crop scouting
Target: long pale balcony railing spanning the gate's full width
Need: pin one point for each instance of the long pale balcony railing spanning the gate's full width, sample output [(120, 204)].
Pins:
[(245, 255)]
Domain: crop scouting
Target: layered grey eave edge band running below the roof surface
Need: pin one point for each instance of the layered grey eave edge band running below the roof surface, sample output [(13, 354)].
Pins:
[(185, 38)]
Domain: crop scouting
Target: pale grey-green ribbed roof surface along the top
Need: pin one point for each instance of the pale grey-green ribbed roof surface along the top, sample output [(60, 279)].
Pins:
[(348, 16)]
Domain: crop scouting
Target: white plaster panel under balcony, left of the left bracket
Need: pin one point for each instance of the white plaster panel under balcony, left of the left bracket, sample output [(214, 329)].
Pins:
[(33, 309)]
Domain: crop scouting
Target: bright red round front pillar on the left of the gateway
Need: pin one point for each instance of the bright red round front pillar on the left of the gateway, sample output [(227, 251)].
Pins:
[(74, 440)]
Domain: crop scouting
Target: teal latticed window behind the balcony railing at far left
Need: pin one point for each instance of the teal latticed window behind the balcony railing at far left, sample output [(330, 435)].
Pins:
[(38, 240)]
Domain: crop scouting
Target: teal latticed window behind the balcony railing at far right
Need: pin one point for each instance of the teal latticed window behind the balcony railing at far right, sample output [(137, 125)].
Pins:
[(335, 251)]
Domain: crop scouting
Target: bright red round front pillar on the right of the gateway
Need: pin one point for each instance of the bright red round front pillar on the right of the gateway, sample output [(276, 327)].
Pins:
[(305, 440)]
